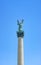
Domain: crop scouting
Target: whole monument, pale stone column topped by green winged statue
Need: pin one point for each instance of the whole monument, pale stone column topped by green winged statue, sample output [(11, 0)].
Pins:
[(20, 35)]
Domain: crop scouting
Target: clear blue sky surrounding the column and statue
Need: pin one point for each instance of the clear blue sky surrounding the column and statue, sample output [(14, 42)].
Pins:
[(10, 11)]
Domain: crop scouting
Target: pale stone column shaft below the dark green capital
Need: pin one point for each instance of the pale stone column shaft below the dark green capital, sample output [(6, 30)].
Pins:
[(20, 51)]
